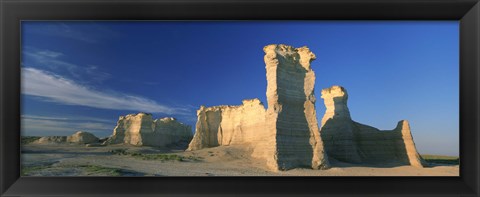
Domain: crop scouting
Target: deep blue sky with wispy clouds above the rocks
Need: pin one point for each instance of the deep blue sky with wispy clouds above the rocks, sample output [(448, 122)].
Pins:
[(83, 75)]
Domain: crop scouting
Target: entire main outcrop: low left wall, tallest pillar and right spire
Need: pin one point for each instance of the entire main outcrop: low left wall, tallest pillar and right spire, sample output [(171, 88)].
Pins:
[(286, 135)]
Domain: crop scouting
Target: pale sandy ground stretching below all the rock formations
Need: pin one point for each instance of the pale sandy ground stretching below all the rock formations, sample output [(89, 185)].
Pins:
[(76, 160)]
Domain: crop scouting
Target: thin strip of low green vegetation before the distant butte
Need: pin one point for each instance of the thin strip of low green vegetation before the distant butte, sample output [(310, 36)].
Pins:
[(161, 157)]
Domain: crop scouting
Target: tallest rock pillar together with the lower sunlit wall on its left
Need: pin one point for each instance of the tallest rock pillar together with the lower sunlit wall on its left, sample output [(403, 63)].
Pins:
[(286, 134)]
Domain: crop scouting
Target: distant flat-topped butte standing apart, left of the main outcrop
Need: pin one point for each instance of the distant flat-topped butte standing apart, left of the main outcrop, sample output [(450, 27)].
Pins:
[(141, 130)]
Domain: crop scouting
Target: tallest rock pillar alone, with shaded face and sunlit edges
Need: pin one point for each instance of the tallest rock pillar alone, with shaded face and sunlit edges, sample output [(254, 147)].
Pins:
[(291, 117)]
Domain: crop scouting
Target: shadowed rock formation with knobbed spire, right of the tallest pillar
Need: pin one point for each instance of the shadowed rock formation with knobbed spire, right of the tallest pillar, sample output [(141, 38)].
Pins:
[(348, 141)]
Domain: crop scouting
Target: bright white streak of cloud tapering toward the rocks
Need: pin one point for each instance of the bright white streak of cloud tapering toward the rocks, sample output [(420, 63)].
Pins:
[(59, 89)]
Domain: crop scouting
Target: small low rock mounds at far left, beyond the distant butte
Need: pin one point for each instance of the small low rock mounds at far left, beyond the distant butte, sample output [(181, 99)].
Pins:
[(80, 137)]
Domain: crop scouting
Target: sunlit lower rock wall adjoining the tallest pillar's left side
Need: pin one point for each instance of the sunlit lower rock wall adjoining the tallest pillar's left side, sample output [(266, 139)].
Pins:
[(225, 125)]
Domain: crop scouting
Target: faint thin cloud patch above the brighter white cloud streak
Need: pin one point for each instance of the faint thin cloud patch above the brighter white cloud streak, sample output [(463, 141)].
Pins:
[(52, 60)]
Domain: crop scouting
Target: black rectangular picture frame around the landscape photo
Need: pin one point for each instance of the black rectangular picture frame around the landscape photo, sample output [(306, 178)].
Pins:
[(13, 11)]
